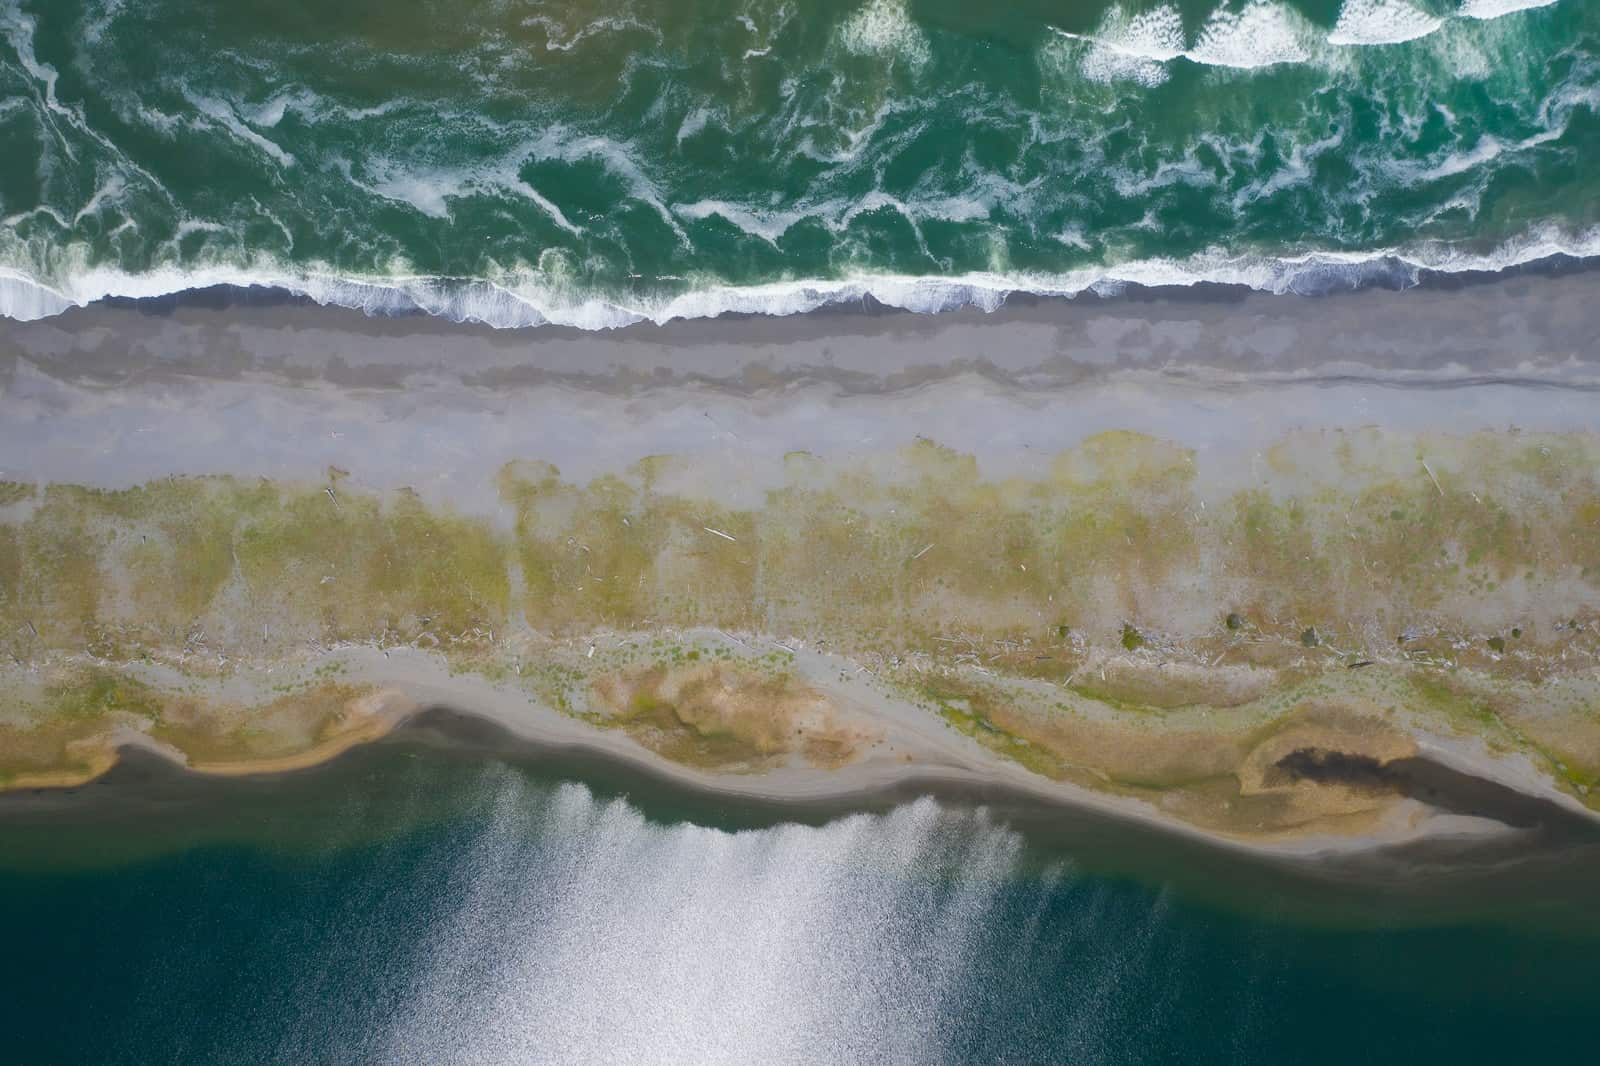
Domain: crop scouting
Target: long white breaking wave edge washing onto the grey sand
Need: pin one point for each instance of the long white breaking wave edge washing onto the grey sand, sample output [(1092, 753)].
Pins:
[(506, 305)]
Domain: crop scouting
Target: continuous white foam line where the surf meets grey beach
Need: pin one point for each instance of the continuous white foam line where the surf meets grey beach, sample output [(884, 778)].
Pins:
[(543, 297)]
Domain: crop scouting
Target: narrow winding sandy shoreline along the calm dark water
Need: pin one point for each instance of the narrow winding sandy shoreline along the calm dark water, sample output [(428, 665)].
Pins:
[(1502, 814)]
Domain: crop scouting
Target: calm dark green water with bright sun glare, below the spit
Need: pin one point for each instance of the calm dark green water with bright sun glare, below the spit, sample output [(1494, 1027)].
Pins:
[(409, 907)]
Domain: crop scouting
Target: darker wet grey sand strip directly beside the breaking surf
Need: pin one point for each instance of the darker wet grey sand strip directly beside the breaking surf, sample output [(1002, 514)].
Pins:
[(1510, 329)]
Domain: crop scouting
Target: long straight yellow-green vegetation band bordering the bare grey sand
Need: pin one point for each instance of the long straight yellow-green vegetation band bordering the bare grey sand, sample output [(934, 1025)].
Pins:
[(903, 555)]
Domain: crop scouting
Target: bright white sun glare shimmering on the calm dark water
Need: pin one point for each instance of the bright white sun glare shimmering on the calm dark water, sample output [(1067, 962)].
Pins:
[(646, 944)]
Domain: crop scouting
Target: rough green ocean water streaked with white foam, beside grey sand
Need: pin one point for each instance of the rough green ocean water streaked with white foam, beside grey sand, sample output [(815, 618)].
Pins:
[(596, 164)]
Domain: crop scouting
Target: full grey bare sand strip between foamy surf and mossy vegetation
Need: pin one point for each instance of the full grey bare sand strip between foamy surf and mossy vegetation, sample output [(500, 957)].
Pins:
[(114, 398)]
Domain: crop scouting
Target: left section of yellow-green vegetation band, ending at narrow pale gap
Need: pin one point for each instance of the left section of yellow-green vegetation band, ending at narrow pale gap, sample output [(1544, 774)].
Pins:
[(161, 559)]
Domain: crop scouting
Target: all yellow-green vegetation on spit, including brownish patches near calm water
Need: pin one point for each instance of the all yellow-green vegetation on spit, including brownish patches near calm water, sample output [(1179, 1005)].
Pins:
[(1118, 577)]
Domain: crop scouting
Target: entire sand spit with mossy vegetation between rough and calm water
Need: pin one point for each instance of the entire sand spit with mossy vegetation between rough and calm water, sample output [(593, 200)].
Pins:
[(1266, 571)]
